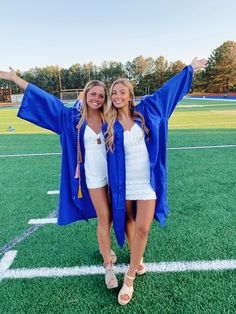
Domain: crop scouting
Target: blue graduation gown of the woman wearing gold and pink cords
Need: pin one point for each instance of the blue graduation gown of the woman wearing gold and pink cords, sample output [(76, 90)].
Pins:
[(48, 112)]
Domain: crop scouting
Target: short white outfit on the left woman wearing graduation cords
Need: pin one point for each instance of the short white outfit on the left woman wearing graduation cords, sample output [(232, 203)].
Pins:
[(95, 159)]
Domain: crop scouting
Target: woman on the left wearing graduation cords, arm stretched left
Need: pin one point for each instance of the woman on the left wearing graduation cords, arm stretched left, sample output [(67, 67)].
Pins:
[(83, 186)]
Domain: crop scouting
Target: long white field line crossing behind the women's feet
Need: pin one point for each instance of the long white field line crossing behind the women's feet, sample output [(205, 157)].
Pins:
[(22, 273)]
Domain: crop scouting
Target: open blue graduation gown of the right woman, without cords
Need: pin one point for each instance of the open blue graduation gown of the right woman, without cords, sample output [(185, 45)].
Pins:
[(156, 110)]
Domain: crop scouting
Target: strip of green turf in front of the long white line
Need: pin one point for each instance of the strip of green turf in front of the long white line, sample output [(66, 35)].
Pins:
[(203, 292)]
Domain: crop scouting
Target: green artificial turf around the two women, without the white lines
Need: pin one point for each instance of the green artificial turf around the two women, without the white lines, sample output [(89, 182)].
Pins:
[(200, 226)]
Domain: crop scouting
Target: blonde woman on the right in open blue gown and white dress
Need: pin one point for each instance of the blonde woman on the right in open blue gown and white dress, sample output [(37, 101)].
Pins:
[(137, 171)]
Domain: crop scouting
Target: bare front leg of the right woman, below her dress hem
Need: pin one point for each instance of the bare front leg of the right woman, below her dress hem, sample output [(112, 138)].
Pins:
[(144, 218)]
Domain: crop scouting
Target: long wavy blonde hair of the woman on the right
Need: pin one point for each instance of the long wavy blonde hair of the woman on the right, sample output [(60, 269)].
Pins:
[(111, 113)]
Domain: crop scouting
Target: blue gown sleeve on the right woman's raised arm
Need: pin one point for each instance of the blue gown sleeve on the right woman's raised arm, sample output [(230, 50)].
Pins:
[(162, 103)]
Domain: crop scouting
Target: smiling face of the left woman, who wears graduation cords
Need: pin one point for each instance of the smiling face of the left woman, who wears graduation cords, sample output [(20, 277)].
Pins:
[(95, 97)]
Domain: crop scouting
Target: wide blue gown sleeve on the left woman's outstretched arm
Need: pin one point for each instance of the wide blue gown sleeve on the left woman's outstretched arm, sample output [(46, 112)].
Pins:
[(43, 109)]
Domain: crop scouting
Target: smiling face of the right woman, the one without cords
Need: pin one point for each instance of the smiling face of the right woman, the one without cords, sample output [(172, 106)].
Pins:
[(120, 96)]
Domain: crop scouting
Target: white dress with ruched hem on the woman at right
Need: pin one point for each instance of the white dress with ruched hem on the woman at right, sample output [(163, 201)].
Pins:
[(137, 166)]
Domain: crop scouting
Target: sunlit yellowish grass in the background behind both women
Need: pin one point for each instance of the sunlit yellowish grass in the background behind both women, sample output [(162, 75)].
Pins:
[(214, 114)]
